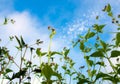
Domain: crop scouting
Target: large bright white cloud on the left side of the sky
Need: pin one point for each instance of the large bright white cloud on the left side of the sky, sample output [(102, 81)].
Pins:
[(29, 27)]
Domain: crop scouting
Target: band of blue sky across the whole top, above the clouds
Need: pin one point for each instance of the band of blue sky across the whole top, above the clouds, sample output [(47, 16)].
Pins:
[(57, 13)]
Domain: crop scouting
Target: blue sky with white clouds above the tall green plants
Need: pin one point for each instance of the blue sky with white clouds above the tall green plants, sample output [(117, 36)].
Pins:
[(68, 17)]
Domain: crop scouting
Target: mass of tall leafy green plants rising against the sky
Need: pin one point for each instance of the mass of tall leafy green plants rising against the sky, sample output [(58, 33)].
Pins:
[(95, 55)]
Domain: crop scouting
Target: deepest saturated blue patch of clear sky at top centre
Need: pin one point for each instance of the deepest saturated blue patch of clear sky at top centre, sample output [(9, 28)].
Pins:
[(55, 11)]
